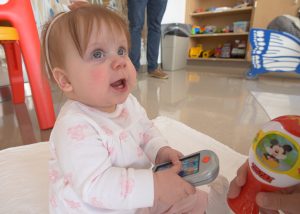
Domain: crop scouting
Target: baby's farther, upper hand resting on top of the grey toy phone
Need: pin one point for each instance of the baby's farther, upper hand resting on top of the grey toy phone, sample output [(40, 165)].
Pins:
[(166, 154)]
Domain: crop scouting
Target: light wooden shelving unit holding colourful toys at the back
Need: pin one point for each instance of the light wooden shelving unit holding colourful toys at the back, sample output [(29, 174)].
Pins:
[(219, 19)]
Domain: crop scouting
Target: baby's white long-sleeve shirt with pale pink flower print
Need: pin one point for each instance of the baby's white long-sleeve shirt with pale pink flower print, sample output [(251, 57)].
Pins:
[(100, 162)]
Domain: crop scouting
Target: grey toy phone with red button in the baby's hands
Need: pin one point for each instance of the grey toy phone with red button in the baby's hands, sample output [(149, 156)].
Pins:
[(198, 168)]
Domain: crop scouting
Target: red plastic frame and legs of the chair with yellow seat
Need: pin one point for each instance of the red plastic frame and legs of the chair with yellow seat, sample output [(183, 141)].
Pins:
[(19, 14)]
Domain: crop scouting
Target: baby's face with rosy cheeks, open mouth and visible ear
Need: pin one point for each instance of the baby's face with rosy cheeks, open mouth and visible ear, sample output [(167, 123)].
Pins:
[(105, 76)]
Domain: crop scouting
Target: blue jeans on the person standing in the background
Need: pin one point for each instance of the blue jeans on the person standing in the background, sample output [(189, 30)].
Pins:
[(136, 17)]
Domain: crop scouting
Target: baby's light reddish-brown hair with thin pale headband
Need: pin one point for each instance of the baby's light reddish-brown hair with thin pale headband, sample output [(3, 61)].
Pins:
[(76, 25)]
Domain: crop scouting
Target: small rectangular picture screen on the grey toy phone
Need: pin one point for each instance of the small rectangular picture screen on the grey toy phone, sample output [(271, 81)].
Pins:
[(190, 165)]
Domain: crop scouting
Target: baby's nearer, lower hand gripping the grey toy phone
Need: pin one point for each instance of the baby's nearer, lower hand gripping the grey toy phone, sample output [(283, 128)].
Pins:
[(169, 187)]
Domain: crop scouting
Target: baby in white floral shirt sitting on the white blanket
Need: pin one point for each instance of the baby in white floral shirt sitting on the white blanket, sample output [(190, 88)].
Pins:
[(103, 144)]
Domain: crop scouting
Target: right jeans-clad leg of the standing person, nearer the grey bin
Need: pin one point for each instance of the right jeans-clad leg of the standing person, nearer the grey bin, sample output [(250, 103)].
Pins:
[(155, 12)]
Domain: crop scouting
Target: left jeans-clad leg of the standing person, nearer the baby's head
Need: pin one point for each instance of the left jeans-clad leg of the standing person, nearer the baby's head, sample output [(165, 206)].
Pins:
[(136, 17)]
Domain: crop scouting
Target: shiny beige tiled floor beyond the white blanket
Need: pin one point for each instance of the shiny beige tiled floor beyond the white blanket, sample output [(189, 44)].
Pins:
[(218, 104)]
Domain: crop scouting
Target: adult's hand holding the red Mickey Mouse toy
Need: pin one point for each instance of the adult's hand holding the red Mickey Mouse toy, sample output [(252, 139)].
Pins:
[(287, 200)]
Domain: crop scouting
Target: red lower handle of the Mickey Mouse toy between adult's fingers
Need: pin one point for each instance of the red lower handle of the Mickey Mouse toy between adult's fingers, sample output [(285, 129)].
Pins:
[(245, 202)]
